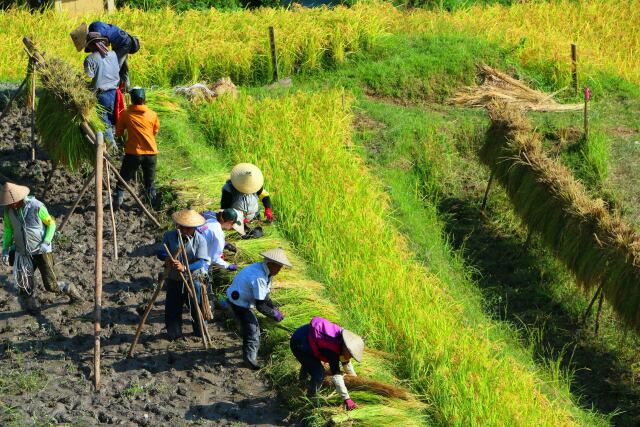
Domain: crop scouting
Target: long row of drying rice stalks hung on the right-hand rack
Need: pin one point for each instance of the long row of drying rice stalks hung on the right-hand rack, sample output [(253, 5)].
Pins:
[(599, 248)]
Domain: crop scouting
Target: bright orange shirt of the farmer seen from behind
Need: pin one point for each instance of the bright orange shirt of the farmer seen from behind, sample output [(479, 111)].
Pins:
[(142, 125)]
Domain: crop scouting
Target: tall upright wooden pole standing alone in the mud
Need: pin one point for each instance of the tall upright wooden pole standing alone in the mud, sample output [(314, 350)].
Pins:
[(98, 272)]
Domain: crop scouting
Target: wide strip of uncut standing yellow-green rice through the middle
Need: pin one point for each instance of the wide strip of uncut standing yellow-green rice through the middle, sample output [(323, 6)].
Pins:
[(337, 216)]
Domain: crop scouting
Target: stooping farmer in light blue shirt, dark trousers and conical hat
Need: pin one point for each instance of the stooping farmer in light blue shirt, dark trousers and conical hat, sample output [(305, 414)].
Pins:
[(251, 288)]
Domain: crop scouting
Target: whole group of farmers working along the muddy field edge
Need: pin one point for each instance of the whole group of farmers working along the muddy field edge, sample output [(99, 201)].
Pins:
[(196, 246)]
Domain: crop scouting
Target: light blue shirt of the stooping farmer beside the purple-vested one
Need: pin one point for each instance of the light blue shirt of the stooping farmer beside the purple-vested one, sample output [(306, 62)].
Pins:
[(252, 283)]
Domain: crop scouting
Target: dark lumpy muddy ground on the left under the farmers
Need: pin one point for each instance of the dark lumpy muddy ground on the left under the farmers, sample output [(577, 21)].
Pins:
[(46, 359)]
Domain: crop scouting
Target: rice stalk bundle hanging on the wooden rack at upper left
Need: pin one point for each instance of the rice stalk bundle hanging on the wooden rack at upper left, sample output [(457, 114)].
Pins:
[(64, 104)]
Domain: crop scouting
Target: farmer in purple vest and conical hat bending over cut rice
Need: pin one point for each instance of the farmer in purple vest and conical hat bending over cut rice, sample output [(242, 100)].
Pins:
[(323, 341)]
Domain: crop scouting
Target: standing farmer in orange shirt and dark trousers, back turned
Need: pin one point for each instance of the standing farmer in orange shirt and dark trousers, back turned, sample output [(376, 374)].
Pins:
[(140, 150)]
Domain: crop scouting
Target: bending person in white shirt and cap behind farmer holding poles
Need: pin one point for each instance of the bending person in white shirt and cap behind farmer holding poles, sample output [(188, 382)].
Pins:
[(213, 232)]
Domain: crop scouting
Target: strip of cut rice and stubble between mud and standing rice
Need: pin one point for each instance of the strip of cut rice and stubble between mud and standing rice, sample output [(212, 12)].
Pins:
[(188, 164)]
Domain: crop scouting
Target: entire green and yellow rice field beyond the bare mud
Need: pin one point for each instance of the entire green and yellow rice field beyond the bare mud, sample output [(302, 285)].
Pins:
[(377, 187)]
